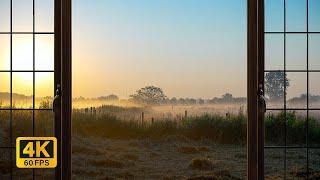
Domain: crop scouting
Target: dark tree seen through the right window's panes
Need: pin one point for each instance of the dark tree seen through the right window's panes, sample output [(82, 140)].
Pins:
[(275, 83)]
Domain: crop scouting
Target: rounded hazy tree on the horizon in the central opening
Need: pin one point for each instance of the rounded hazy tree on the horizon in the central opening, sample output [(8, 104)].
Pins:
[(149, 95)]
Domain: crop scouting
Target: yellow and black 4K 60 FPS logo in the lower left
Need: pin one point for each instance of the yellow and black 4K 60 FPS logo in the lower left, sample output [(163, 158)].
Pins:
[(36, 152)]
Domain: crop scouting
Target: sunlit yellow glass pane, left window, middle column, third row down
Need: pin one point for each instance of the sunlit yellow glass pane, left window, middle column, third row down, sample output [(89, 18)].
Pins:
[(22, 89)]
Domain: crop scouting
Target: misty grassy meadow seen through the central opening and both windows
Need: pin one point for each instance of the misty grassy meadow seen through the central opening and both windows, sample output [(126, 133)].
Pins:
[(170, 142)]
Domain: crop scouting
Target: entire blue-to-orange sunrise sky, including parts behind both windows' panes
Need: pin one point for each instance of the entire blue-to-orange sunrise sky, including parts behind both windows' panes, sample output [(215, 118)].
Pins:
[(189, 48)]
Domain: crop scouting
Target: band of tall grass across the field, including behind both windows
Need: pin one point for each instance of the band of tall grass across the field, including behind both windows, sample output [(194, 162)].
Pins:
[(231, 128)]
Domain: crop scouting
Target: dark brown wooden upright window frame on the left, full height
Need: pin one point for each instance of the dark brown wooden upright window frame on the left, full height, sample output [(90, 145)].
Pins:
[(63, 78)]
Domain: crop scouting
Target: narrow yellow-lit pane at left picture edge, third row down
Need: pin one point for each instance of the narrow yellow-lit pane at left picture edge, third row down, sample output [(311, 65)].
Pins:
[(4, 90)]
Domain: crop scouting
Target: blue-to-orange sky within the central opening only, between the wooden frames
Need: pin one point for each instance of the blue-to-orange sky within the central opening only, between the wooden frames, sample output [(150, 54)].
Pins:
[(190, 48)]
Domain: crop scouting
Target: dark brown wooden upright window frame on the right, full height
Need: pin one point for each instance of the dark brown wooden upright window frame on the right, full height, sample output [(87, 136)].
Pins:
[(255, 80)]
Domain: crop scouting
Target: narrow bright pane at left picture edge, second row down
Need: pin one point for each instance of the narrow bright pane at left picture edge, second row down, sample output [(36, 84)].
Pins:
[(4, 52)]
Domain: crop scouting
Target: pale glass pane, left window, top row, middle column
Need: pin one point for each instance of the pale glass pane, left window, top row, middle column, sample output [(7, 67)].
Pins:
[(22, 15)]
